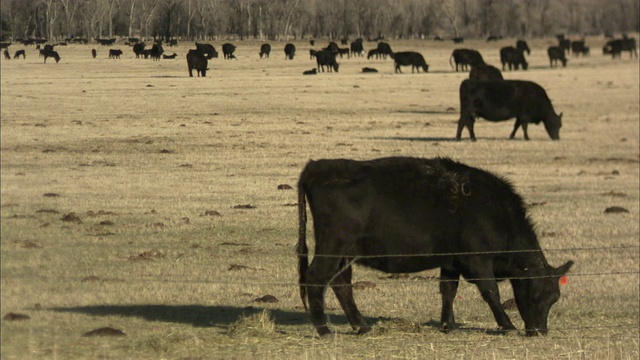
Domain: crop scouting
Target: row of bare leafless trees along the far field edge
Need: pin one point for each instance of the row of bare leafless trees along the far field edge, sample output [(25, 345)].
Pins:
[(295, 19)]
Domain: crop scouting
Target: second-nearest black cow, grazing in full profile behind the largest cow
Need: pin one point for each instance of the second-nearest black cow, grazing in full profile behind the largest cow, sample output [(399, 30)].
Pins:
[(499, 100)]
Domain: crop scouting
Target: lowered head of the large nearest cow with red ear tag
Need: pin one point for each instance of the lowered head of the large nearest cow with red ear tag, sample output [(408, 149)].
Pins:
[(535, 292)]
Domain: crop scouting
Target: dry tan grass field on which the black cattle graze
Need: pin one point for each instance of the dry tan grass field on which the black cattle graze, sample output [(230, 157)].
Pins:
[(137, 198)]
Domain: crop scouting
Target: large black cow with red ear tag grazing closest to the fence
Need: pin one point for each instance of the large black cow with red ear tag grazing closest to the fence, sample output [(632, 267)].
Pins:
[(405, 215)]
